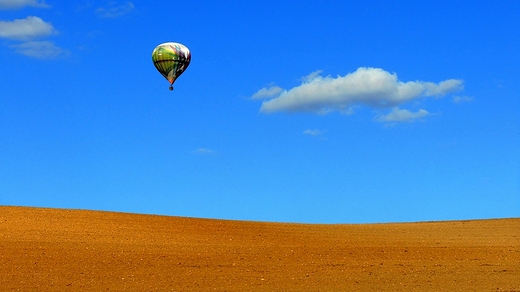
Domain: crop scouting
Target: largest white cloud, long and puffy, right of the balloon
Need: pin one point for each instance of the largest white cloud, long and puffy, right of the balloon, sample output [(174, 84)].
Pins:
[(372, 87)]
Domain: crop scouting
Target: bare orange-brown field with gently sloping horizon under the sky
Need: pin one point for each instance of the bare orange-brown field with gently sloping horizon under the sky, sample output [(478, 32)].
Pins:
[(69, 250)]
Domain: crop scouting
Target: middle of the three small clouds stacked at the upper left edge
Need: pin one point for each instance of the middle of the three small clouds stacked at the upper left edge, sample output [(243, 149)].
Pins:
[(28, 28)]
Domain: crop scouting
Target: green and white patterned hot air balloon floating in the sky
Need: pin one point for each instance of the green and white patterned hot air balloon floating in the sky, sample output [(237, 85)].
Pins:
[(171, 59)]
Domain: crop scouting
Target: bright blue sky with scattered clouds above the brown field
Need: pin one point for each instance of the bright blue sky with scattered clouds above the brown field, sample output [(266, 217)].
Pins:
[(312, 112)]
